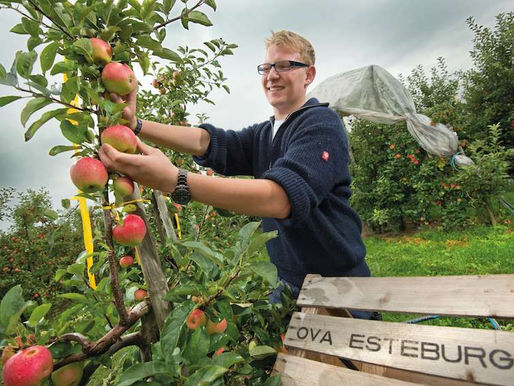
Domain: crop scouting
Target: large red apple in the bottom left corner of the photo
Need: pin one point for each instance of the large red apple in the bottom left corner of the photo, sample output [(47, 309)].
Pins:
[(29, 367)]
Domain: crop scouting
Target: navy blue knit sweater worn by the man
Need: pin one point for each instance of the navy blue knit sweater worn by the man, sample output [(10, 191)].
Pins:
[(309, 158)]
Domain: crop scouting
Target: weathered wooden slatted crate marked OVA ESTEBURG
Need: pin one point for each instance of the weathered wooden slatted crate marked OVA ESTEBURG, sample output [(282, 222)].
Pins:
[(399, 353)]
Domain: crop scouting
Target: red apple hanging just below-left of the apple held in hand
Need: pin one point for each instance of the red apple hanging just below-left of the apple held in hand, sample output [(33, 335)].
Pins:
[(89, 174)]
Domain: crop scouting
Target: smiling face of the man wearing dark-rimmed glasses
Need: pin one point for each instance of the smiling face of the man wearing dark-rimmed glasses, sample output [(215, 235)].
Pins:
[(285, 90)]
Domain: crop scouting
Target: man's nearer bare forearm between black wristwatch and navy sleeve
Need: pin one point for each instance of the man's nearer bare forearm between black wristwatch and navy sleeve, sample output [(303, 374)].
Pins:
[(260, 197)]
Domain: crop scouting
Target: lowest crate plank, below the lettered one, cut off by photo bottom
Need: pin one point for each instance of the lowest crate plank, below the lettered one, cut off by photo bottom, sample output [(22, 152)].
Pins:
[(304, 372)]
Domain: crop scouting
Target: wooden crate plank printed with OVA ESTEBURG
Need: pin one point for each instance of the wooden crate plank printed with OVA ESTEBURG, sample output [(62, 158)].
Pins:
[(460, 353)]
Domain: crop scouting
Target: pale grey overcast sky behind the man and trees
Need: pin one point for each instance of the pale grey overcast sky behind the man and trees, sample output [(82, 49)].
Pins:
[(346, 34)]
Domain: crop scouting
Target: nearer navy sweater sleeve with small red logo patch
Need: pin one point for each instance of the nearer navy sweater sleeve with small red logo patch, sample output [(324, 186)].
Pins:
[(315, 161)]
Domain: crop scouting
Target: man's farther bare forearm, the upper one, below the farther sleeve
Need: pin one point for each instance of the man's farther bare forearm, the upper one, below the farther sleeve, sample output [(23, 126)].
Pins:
[(191, 140)]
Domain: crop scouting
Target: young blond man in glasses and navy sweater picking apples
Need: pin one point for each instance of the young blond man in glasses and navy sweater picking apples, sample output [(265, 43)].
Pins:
[(299, 158)]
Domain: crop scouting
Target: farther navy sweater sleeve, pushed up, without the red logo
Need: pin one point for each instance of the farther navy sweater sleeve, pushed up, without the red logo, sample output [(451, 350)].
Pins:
[(229, 152)]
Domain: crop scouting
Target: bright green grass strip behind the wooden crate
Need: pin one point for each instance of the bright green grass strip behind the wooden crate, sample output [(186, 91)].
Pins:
[(478, 250)]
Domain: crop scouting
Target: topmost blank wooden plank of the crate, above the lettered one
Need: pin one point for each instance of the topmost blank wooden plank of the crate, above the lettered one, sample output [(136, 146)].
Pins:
[(491, 295)]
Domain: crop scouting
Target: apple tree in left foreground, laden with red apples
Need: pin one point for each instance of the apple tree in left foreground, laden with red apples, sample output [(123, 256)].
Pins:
[(206, 317)]
